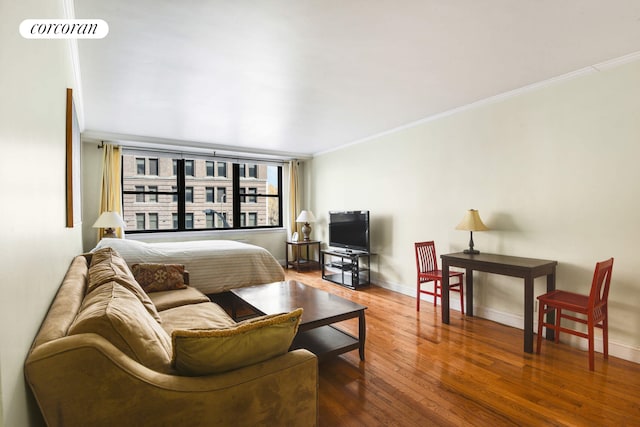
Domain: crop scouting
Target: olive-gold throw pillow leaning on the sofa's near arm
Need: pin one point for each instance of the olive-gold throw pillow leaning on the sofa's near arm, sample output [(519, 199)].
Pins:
[(209, 351)]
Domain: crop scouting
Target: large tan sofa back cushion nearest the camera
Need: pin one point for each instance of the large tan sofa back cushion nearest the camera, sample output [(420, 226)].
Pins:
[(113, 312)]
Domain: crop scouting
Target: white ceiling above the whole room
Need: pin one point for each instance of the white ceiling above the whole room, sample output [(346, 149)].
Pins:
[(300, 77)]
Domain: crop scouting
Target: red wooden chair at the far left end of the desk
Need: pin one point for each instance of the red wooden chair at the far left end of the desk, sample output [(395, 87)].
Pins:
[(427, 265)]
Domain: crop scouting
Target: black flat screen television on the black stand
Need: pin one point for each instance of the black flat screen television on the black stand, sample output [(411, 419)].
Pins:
[(349, 230)]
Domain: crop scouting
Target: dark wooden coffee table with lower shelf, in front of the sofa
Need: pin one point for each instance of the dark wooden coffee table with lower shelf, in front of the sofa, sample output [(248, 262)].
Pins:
[(316, 332)]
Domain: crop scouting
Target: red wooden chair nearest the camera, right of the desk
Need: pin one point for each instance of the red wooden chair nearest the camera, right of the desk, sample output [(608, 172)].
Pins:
[(592, 309)]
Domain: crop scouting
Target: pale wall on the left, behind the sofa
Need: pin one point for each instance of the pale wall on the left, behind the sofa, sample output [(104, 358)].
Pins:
[(35, 246)]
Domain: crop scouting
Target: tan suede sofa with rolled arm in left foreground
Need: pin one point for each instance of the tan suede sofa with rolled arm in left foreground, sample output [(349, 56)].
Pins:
[(85, 370)]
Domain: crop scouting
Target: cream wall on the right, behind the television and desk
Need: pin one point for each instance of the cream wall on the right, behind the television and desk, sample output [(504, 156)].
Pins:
[(553, 171)]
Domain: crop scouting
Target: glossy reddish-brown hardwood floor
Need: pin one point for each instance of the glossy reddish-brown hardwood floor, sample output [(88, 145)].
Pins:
[(420, 372)]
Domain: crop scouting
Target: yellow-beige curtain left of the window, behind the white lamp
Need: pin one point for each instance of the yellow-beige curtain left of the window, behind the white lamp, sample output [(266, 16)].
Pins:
[(111, 191)]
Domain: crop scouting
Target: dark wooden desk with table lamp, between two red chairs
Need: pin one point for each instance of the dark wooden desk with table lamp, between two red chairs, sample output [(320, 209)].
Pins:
[(526, 268)]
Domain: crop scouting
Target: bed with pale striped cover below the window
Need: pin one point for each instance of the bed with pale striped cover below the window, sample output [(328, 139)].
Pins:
[(214, 265)]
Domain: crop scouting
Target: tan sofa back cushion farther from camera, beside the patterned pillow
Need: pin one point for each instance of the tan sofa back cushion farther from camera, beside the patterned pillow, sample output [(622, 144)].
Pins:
[(106, 266)]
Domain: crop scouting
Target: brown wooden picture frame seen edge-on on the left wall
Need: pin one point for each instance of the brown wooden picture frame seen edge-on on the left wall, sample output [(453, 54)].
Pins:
[(73, 157)]
